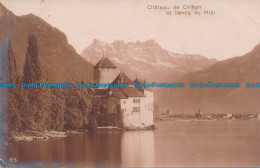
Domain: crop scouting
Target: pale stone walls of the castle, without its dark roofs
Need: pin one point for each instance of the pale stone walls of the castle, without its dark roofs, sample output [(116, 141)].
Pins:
[(137, 111)]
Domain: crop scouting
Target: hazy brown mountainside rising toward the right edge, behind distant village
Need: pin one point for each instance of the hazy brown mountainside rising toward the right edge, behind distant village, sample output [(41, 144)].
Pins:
[(240, 70)]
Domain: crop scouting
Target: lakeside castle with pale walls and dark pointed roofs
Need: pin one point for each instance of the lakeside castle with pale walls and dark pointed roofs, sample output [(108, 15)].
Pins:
[(136, 104)]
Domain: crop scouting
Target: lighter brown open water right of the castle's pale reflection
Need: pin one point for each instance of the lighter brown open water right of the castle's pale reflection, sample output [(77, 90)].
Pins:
[(208, 143)]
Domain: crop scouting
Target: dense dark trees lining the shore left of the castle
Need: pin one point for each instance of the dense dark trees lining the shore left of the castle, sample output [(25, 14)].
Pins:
[(40, 108)]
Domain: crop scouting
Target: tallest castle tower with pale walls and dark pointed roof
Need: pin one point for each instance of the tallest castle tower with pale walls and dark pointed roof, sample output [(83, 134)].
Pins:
[(105, 71)]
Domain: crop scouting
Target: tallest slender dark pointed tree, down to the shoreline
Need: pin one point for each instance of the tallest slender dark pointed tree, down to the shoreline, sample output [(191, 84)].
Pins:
[(36, 103)]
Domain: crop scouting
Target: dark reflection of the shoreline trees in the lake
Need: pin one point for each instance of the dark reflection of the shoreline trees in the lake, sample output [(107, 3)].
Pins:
[(93, 149)]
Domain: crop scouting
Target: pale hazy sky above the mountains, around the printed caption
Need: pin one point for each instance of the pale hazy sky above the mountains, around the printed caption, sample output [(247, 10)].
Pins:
[(234, 29)]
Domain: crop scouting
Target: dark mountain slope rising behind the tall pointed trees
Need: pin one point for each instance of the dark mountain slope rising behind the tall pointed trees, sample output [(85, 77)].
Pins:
[(58, 59)]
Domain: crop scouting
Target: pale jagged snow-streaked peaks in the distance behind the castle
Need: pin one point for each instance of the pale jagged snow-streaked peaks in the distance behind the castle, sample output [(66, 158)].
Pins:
[(146, 60)]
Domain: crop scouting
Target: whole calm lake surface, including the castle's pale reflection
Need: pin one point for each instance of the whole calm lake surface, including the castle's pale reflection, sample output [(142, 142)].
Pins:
[(174, 143)]
